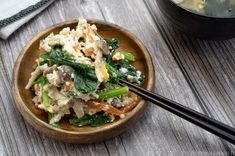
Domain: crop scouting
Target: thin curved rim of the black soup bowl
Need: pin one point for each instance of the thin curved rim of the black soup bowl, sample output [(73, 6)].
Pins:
[(201, 15)]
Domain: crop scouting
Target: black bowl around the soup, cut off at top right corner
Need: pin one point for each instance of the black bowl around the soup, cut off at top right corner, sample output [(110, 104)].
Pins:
[(196, 24)]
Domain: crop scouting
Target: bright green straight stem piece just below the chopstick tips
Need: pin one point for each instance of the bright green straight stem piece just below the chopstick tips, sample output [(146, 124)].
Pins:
[(113, 93)]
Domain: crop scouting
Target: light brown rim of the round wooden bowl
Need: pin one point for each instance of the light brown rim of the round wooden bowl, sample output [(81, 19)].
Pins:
[(18, 99)]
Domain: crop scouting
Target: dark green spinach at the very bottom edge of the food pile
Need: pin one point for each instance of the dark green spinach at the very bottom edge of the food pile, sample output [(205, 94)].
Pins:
[(91, 120)]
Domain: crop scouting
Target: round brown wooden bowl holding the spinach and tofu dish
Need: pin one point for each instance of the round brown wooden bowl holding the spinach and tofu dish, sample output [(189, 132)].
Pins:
[(68, 133)]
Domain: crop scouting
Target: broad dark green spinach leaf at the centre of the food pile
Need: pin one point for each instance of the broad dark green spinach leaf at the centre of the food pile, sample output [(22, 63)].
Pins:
[(83, 83)]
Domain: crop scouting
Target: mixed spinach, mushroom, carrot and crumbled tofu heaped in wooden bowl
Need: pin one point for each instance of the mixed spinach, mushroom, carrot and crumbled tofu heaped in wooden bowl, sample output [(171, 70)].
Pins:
[(77, 75)]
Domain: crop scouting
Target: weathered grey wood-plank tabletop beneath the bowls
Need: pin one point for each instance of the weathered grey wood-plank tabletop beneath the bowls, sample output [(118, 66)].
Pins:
[(199, 74)]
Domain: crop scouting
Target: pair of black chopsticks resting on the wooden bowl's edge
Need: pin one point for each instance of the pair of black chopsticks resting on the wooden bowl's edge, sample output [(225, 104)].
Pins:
[(216, 127)]
